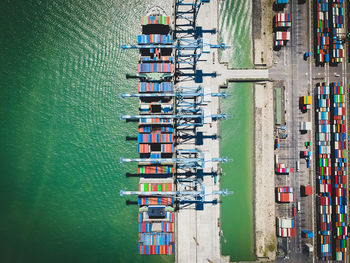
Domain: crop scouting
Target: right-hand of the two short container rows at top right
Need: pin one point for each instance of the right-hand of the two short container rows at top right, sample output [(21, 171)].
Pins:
[(337, 23)]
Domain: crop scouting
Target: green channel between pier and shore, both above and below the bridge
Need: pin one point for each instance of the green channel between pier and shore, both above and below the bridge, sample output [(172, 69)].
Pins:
[(237, 137)]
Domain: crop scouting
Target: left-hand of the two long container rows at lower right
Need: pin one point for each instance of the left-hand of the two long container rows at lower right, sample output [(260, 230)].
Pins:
[(324, 170)]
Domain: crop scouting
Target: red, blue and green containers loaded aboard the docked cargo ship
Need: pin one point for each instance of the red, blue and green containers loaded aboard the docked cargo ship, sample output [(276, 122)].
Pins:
[(156, 140)]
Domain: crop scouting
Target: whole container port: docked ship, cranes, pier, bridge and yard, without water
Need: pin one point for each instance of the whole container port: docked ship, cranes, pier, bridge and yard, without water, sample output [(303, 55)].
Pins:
[(179, 102)]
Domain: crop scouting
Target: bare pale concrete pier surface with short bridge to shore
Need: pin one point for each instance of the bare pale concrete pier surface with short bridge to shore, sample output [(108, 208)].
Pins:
[(198, 231)]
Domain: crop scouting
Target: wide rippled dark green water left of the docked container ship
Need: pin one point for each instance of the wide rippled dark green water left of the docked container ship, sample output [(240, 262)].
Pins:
[(61, 138)]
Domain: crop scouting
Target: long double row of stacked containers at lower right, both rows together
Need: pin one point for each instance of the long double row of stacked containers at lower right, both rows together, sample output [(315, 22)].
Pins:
[(331, 171)]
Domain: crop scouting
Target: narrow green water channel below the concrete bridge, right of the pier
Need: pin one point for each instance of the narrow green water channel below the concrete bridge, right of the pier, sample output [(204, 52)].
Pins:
[(236, 142)]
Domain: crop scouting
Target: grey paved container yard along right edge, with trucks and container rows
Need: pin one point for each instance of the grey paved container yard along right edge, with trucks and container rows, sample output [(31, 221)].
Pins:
[(311, 128)]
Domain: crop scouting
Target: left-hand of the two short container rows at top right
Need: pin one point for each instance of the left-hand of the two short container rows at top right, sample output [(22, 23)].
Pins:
[(322, 31)]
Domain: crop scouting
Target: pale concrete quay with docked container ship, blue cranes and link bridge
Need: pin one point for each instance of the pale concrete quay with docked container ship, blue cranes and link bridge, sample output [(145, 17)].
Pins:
[(180, 78)]
